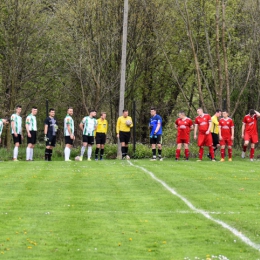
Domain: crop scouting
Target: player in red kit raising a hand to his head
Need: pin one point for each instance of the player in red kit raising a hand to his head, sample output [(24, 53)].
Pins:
[(250, 132)]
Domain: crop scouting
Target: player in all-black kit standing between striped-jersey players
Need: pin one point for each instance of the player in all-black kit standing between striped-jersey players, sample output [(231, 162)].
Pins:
[(50, 132)]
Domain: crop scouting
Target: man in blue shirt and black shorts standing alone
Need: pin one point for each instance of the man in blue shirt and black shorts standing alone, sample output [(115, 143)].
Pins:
[(155, 125)]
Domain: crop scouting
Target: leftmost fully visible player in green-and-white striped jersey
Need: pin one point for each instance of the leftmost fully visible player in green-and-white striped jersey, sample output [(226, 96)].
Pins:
[(16, 130)]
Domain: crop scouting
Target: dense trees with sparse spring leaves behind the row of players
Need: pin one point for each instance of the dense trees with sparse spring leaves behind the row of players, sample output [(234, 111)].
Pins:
[(181, 55)]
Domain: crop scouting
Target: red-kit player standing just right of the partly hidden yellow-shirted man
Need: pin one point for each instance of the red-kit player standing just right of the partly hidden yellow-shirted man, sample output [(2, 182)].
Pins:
[(226, 135)]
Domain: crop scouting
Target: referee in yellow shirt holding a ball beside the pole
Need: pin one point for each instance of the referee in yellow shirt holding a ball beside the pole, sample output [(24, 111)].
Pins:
[(123, 128)]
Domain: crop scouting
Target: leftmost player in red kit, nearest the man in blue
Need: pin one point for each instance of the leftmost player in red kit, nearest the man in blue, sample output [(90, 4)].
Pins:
[(183, 125)]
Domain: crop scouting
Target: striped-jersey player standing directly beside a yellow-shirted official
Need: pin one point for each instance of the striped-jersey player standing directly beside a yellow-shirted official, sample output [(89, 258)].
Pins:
[(88, 126)]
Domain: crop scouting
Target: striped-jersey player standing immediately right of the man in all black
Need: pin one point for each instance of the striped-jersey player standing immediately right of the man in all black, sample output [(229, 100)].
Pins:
[(68, 133)]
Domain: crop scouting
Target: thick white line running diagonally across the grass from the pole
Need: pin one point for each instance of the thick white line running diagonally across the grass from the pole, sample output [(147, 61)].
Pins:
[(202, 212)]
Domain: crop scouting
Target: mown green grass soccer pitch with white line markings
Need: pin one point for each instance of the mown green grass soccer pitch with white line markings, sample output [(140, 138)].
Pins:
[(136, 209)]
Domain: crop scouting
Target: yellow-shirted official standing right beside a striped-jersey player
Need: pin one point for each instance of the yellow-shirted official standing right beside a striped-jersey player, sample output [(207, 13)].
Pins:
[(100, 134)]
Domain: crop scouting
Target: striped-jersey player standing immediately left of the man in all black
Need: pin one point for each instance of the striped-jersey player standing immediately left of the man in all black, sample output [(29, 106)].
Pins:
[(31, 129)]
